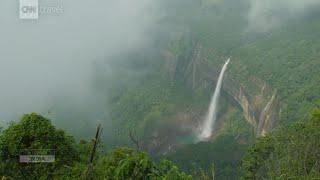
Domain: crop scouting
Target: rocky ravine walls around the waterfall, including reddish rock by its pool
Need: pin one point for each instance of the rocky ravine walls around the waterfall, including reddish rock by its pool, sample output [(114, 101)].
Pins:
[(260, 106)]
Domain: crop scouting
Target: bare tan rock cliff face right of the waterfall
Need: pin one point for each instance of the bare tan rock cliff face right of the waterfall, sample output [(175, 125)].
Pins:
[(261, 109)]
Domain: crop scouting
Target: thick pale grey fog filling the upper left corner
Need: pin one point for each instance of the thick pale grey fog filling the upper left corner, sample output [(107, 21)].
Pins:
[(52, 56)]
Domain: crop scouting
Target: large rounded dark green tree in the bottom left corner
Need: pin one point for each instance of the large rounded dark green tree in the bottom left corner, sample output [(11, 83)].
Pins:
[(34, 132)]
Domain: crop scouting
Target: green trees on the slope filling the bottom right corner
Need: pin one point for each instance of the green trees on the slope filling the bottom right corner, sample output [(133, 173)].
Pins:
[(291, 152)]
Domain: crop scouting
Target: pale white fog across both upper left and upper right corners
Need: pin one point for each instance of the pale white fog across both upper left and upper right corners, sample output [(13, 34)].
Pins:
[(49, 65)]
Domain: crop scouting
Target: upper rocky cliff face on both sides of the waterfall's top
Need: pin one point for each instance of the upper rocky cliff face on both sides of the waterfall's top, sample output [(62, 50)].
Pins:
[(260, 107)]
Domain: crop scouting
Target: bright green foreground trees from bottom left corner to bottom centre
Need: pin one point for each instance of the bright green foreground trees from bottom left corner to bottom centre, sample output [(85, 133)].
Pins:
[(35, 132)]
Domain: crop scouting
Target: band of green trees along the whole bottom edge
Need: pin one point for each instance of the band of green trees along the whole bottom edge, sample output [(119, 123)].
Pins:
[(289, 152)]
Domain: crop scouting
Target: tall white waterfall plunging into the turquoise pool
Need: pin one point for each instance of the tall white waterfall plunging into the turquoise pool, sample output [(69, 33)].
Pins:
[(209, 122)]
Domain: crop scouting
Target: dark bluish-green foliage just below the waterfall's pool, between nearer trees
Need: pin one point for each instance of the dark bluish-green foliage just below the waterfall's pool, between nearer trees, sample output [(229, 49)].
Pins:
[(225, 152)]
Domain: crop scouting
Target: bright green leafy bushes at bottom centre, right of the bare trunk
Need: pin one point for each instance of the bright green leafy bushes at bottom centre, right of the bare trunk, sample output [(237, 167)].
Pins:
[(125, 163)]
